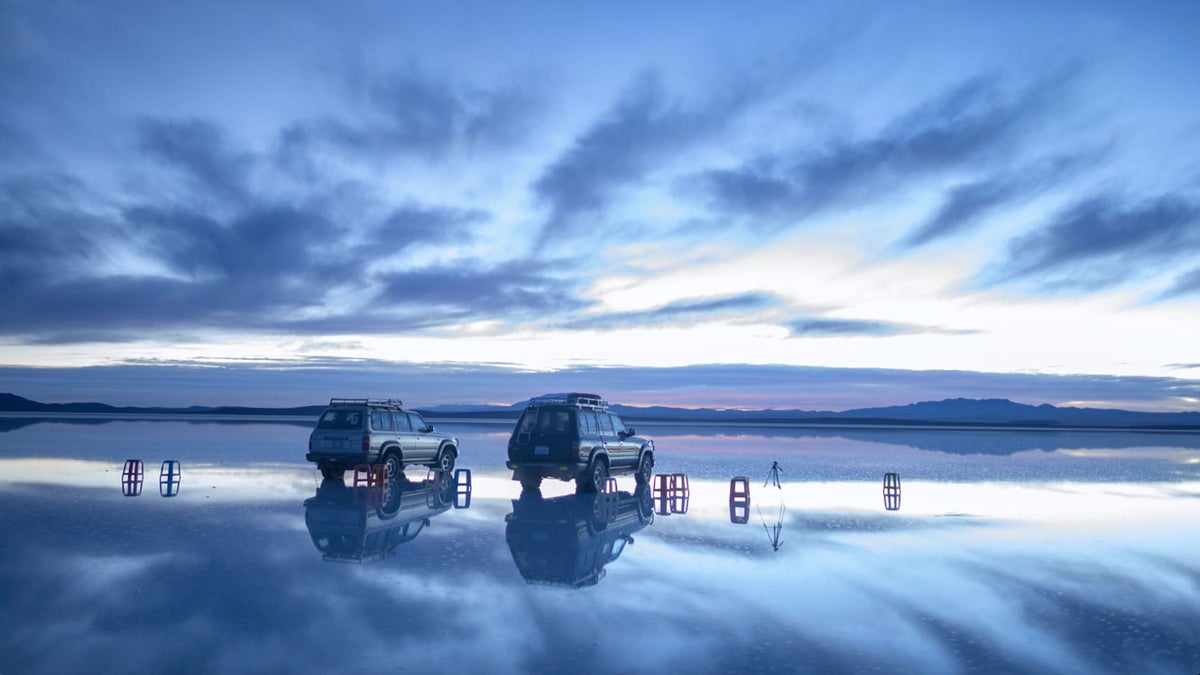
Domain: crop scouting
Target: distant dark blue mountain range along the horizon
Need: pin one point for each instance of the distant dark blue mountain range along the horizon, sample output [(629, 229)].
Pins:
[(950, 413)]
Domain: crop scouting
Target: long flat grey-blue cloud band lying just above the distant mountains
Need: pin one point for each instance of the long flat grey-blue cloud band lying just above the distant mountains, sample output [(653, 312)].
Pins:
[(309, 381)]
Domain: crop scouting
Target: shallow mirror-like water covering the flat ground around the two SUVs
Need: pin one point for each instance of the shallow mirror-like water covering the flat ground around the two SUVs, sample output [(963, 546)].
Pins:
[(1010, 552)]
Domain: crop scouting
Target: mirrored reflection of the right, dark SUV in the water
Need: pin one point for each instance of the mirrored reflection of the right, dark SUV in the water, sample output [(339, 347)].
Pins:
[(568, 541)]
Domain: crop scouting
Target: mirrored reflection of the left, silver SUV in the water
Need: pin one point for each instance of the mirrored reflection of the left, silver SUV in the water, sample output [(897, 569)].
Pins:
[(364, 524)]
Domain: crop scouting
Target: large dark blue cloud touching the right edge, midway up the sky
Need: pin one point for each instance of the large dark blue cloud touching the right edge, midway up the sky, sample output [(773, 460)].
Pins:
[(1102, 242)]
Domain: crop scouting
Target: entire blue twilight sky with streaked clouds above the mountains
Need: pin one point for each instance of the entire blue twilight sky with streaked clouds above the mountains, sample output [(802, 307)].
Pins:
[(784, 205)]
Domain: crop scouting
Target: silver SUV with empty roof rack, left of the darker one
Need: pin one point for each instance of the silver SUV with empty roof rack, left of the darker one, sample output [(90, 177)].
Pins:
[(353, 432)]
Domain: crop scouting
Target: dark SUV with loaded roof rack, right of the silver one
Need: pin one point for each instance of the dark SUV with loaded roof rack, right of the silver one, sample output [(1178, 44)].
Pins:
[(575, 438)]
